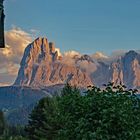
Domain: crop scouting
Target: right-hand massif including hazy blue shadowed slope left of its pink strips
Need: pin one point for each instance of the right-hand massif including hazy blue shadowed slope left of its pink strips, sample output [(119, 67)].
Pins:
[(125, 70)]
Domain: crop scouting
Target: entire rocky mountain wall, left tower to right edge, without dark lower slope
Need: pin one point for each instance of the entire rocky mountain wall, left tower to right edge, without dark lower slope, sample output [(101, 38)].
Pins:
[(42, 65)]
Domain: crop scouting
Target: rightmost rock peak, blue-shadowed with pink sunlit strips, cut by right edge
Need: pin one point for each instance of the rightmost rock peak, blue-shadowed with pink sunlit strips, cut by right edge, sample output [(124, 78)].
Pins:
[(126, 70)]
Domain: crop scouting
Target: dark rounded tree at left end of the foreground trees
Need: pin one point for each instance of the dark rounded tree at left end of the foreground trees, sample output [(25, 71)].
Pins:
[(43, 123)]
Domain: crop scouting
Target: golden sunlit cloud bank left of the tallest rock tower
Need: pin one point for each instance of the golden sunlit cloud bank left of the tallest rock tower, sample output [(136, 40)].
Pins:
[(16, 40)]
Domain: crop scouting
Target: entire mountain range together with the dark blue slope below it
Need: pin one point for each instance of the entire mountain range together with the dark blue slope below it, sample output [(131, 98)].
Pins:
[(43, 71)]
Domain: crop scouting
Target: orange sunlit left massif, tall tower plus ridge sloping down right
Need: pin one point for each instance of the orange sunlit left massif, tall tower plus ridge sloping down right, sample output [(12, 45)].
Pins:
[(40, 67)]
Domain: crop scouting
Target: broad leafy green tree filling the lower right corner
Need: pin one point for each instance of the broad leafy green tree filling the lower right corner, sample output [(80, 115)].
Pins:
[(110, 114)]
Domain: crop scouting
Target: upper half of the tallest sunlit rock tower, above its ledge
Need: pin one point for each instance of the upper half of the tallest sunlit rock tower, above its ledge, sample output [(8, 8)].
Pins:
[(40, 49)]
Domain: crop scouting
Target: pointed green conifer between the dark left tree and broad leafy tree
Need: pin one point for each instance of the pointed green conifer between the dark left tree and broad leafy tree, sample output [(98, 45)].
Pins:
[(71, 108)]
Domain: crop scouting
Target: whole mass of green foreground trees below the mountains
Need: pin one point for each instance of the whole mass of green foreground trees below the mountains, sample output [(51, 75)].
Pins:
[(112, 113)]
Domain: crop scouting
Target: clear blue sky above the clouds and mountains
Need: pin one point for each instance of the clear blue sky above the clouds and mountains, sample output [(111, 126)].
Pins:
[(86, 26)]
